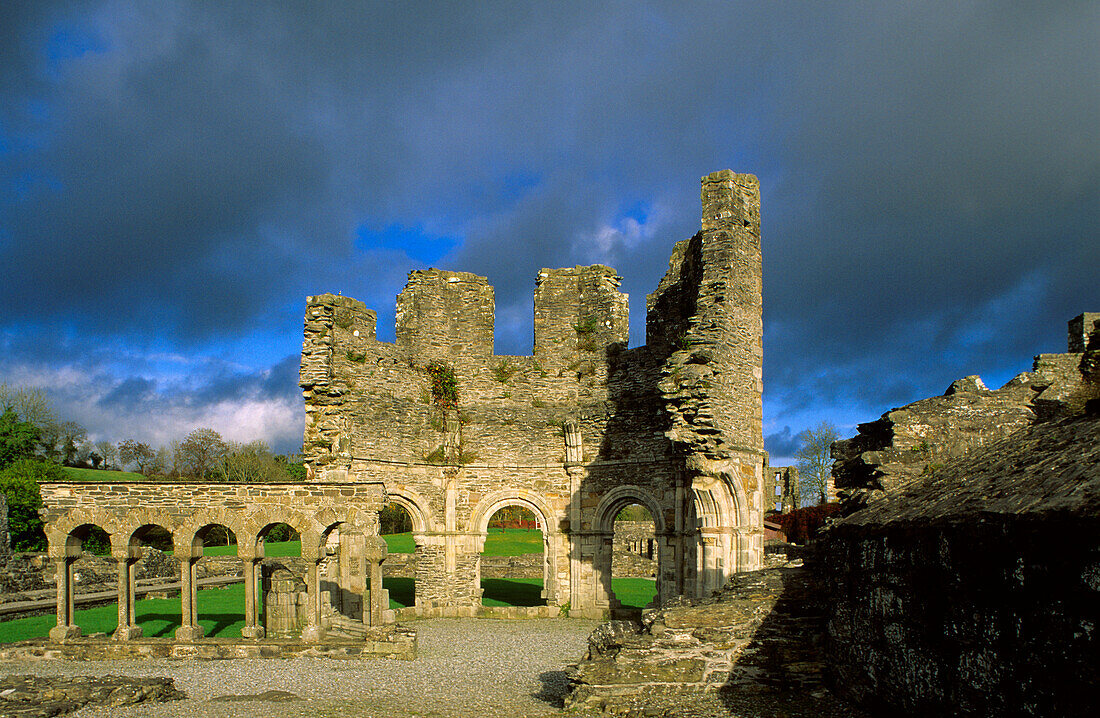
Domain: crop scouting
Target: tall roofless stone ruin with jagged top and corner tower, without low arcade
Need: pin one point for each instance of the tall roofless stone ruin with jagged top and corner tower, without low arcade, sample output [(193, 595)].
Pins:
[(576, 432)]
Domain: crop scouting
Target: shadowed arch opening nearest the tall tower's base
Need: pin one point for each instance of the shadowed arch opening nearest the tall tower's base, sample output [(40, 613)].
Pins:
[(635, 555)]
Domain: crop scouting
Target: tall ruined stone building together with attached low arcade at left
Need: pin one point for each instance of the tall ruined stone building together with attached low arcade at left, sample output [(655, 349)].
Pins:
[(439, 424)]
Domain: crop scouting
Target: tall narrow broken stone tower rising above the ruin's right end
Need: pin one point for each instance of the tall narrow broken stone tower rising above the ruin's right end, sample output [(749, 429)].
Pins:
[(712, 299)]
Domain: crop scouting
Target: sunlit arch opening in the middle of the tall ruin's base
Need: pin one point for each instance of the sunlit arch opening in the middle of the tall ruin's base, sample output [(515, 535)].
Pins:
[(515, 568)]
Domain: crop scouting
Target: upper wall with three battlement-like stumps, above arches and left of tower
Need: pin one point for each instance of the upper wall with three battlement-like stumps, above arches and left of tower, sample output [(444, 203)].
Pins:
[(372, 400)]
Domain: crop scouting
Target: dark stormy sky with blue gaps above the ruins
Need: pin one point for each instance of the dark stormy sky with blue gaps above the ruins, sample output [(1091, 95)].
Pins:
[(182, 175)]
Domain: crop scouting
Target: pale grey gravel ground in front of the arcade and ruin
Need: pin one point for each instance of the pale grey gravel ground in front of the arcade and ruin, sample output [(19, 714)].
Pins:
[(466, 668)]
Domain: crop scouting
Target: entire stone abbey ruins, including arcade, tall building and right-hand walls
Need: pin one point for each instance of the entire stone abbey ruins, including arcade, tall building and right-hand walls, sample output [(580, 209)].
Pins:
[(963, 580)]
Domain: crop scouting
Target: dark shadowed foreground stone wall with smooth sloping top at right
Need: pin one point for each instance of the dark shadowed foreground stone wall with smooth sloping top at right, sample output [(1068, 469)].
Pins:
[(976, 591)]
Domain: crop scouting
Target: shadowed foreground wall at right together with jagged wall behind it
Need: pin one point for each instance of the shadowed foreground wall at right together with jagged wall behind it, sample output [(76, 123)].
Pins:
[(971, 583)]
